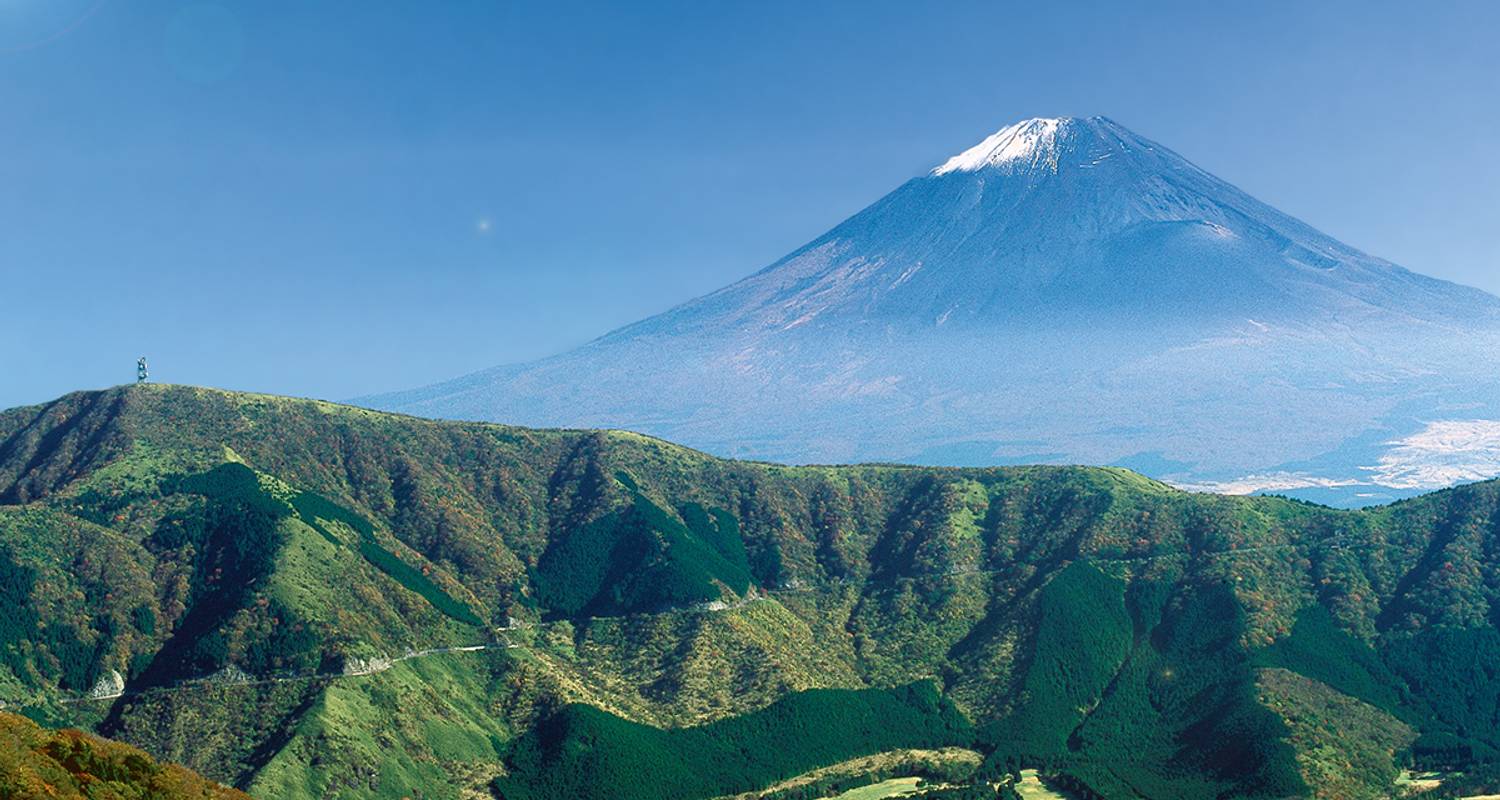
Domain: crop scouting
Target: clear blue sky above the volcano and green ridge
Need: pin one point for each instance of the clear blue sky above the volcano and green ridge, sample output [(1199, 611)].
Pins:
[(332, 199)]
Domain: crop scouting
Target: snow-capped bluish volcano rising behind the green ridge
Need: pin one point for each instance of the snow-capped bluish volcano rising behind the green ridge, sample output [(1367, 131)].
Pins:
[(1064, 292)]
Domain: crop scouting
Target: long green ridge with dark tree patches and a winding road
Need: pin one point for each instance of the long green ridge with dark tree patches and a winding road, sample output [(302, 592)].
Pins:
[(307, 600)]
